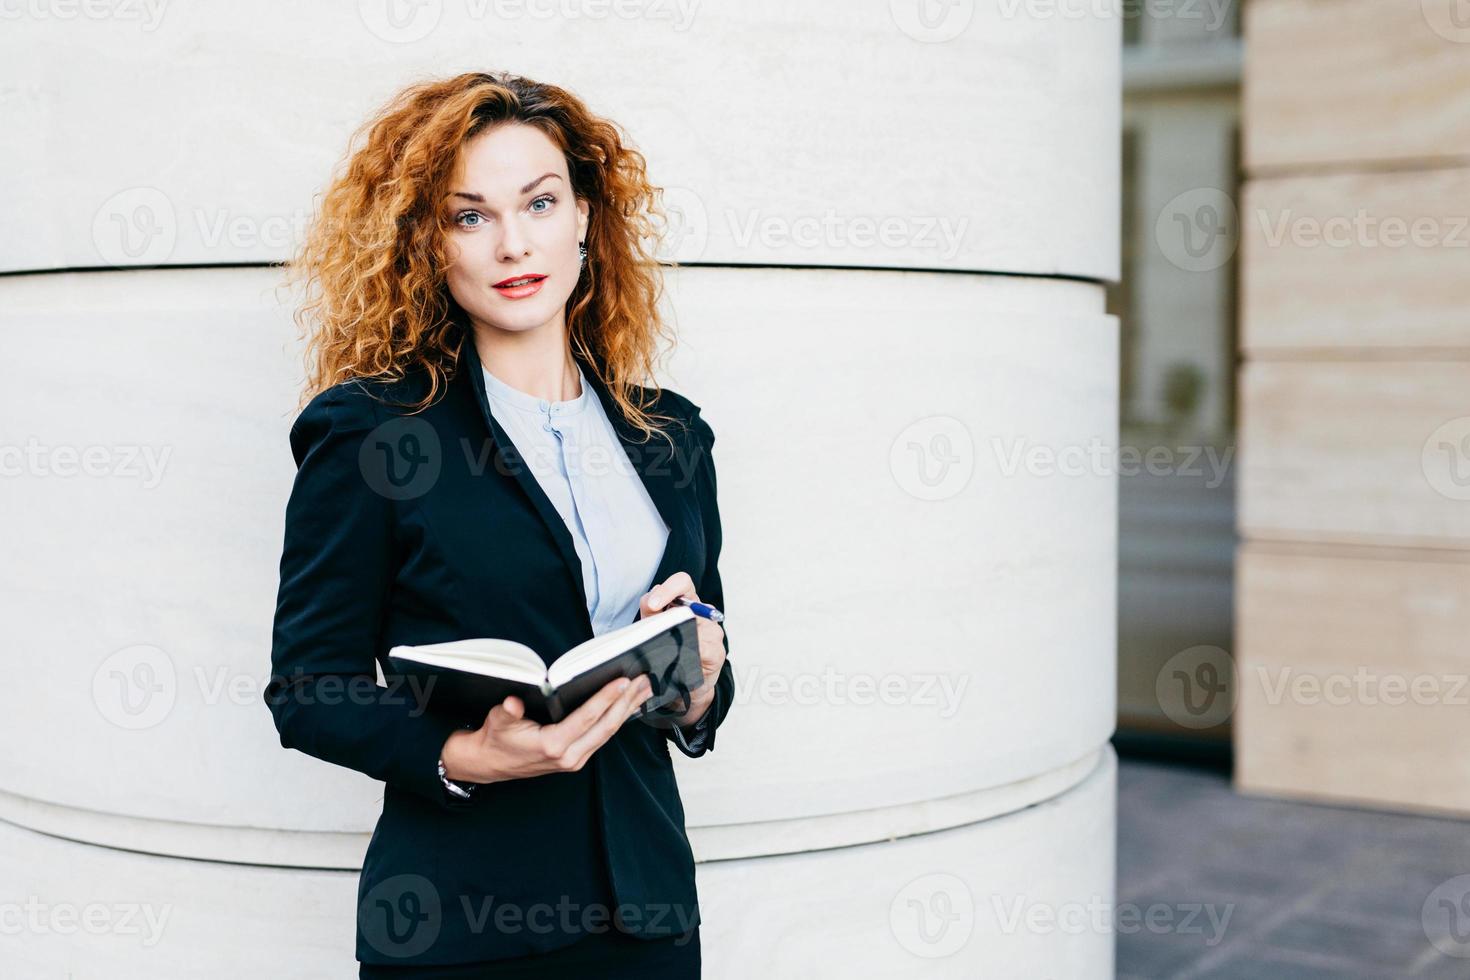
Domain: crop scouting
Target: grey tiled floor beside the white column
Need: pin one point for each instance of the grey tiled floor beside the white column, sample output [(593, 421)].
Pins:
[(1216, 885)]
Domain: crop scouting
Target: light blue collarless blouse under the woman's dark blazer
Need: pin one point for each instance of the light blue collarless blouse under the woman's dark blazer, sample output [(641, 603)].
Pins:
[(574, 452)]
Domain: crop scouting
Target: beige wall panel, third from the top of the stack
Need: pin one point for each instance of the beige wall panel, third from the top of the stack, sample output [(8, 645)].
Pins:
[(1356, 453)]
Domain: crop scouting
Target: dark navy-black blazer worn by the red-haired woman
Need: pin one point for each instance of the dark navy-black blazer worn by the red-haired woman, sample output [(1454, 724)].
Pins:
[(427, 528)]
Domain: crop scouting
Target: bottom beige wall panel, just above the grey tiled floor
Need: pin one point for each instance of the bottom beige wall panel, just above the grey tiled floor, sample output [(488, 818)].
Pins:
[(1353, 677)]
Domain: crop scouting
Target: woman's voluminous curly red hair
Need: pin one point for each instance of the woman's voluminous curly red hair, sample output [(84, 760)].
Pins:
[(374, 256)]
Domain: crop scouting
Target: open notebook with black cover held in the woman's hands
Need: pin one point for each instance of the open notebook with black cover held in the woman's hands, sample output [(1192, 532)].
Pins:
[(467, 678)]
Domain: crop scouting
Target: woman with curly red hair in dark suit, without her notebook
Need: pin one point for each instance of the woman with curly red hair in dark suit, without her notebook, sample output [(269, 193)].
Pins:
[(477, 459)]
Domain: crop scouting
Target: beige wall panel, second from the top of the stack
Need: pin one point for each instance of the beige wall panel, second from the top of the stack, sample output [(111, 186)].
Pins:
[(1358, 262)]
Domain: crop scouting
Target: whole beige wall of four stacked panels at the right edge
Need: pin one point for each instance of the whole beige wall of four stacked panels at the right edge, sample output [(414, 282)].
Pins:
[(1355, 443)]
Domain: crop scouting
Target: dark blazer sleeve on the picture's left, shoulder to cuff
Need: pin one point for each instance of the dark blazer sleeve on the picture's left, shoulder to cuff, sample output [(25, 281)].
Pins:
[(336, 578)]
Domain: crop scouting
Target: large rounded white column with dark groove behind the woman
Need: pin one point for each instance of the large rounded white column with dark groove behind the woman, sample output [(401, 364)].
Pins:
[(919, 741)]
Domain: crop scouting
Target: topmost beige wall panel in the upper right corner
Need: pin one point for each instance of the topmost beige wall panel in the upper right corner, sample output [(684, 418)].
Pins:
[(1391, 76)]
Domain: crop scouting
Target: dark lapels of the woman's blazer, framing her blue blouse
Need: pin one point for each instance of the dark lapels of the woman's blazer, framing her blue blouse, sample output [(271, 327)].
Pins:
[(656, 466)]
